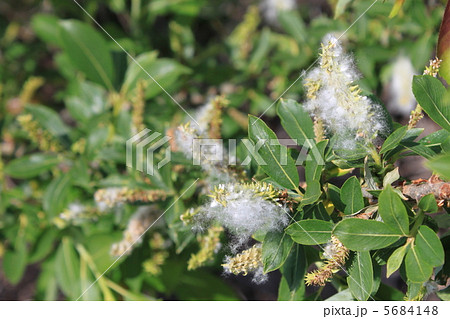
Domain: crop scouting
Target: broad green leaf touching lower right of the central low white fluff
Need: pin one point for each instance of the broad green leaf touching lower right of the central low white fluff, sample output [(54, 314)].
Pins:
[(275, 249)]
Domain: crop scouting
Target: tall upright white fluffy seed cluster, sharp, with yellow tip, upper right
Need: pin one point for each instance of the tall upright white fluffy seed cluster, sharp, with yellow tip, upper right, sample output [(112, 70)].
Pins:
[(334, 98)]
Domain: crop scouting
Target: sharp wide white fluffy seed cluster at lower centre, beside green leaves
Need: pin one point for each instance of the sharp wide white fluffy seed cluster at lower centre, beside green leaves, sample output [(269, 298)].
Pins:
[(243, 212)]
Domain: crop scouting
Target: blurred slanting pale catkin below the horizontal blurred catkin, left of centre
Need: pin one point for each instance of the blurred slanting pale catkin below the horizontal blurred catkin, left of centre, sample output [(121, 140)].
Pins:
[(137, 226)]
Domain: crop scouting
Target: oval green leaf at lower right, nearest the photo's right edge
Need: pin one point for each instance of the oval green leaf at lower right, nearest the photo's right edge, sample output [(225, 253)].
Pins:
[(429, 247)]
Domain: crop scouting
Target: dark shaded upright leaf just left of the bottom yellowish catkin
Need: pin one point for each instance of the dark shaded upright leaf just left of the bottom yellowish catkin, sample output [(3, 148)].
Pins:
[(294, 268)]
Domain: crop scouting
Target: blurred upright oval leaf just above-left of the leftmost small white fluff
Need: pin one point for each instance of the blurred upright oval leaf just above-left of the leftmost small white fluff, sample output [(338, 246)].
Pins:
[(56, 195)]
